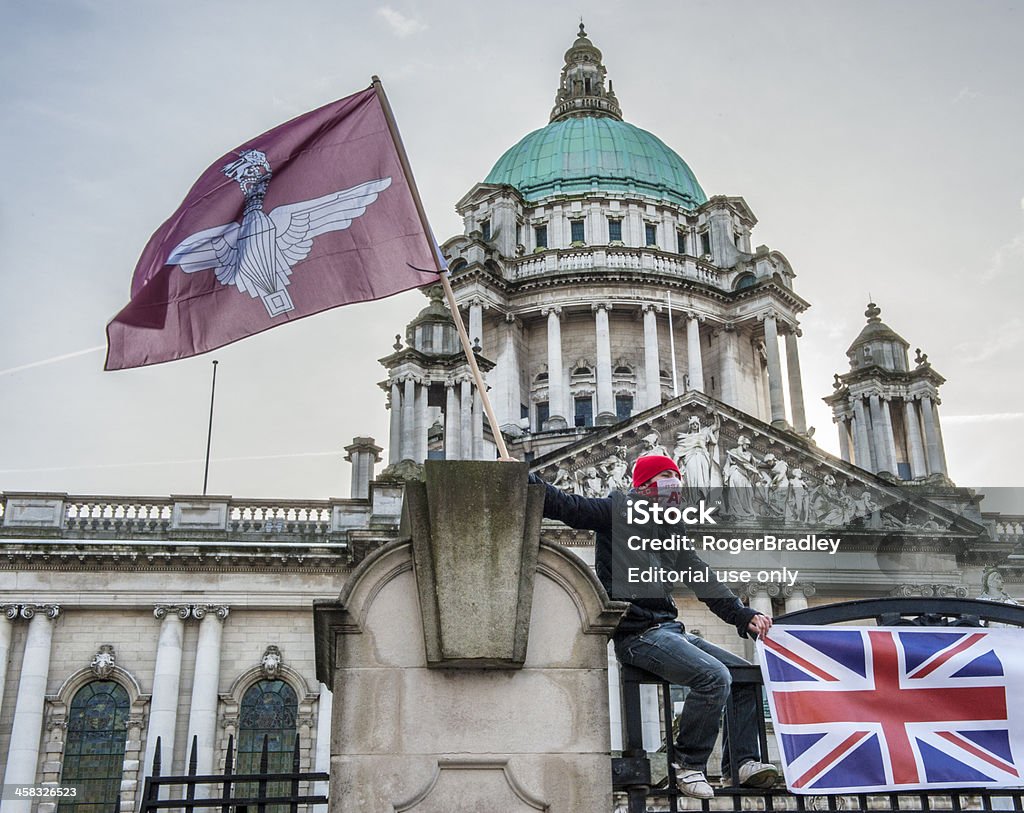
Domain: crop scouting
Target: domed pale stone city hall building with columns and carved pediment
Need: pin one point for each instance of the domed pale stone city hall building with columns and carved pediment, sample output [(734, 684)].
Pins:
[(616, 310)]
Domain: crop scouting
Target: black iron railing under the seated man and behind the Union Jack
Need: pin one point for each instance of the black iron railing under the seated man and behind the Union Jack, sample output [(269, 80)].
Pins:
[(632, 772)]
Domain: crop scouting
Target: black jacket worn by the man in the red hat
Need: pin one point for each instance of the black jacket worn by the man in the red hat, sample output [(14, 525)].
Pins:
[(588, 514)]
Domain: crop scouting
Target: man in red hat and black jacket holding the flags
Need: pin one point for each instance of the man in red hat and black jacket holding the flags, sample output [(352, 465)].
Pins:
[(652, 638)]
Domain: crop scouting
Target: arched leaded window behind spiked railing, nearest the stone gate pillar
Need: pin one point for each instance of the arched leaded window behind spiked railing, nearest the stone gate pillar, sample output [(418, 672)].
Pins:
[(269, 710)]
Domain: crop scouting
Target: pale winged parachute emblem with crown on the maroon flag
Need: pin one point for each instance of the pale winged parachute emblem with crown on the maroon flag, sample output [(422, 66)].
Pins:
[(258, 255)]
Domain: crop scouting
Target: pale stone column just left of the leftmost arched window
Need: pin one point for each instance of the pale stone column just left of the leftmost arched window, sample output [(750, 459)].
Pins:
[(27, 731)]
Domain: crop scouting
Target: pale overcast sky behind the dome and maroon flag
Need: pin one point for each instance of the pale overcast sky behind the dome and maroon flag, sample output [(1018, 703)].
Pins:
[(879, 144)]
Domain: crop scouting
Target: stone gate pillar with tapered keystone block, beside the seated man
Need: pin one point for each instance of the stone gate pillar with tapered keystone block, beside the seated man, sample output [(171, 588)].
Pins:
[(409, 737)]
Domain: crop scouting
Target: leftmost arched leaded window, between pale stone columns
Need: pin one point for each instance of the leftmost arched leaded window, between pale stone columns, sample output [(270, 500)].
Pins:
[(95, 752)]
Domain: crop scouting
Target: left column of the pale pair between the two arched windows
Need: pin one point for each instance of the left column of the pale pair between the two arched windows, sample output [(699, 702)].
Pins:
[(166, 679)]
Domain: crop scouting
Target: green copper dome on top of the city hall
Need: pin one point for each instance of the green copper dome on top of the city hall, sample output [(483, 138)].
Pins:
[(588, 154)]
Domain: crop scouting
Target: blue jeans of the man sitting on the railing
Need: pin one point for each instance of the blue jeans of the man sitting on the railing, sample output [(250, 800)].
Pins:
[(686, 660)]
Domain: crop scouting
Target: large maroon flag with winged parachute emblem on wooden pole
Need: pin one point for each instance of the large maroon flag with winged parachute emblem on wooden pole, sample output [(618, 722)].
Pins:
[(314, 215)]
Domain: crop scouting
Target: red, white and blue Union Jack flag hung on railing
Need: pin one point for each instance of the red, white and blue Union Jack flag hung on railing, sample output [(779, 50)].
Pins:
[(860, 710)]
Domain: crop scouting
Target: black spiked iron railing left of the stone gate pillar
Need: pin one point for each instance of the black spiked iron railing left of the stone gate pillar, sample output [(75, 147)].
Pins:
[(232, 793)]
